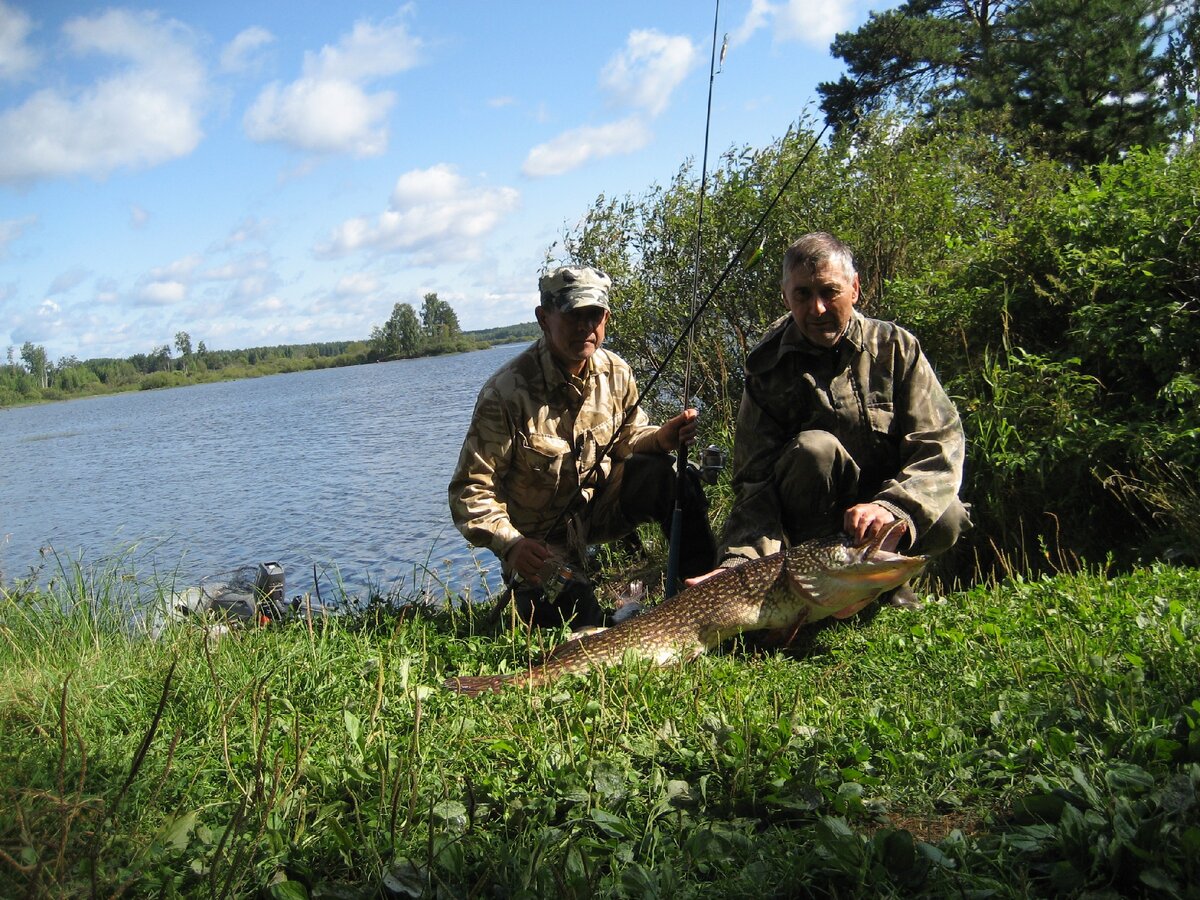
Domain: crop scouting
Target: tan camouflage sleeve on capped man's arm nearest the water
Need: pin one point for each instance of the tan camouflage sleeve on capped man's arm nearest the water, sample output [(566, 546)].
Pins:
[(485, 458)]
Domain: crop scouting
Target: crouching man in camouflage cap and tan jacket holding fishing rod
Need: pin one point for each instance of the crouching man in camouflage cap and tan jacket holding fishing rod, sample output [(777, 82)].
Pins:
[(541, 476)]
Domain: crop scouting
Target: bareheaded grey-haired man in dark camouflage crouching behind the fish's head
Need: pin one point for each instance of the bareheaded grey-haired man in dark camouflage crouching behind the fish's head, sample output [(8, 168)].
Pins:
[(843, 424)]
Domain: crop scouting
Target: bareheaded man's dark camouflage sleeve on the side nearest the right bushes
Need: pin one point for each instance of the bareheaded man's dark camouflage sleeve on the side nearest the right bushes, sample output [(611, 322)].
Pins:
[(932, 451)]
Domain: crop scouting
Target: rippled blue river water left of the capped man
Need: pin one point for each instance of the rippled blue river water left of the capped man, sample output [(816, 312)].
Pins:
[(345, 470)]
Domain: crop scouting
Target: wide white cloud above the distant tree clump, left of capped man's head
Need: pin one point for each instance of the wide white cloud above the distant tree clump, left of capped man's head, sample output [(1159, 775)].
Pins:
[(434, 215)]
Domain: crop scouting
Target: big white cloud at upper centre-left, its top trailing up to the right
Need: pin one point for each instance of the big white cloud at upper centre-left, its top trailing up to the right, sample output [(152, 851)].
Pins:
[(329, 109)]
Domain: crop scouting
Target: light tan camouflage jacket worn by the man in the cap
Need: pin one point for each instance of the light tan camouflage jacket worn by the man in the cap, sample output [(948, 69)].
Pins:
[(533, 440)]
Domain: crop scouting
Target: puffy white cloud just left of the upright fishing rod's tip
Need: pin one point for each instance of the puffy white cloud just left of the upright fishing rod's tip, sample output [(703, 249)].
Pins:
[(649, 70)]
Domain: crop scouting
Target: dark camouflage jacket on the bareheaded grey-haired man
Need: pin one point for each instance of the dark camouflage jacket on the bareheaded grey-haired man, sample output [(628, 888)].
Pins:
[(877, 393)]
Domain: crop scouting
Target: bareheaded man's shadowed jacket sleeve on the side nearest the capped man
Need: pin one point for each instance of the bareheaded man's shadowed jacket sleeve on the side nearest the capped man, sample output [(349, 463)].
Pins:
[(754, 527)]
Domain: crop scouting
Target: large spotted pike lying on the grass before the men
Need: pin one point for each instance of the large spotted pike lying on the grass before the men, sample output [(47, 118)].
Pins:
[(803, 585)]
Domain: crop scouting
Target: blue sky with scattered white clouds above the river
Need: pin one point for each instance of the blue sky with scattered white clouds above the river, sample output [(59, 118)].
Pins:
[(261, 173)]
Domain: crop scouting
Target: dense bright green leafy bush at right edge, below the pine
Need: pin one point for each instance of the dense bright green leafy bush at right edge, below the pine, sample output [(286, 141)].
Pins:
[(1096, 284)]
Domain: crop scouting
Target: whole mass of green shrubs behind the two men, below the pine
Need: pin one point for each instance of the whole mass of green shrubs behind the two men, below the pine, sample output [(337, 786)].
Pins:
[(1059, 307)]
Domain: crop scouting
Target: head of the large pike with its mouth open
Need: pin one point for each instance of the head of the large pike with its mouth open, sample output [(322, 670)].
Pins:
[(836, 574)]
